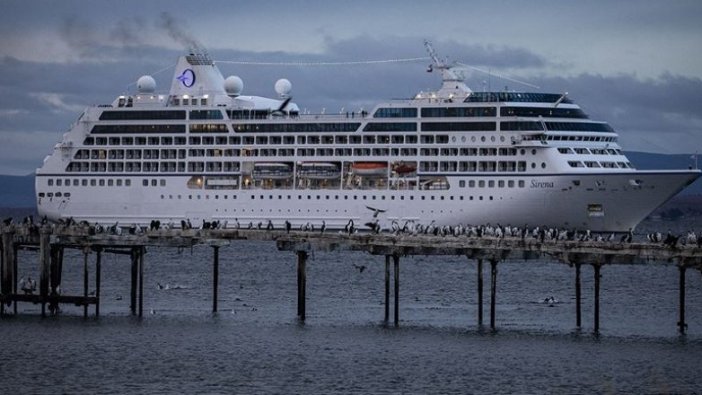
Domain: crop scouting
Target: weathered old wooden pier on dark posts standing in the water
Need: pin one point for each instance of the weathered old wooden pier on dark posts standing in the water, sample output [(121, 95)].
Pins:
[(50, 241)]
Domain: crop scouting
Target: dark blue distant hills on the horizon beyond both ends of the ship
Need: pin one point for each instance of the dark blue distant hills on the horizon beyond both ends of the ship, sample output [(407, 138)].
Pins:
[(18, 191)]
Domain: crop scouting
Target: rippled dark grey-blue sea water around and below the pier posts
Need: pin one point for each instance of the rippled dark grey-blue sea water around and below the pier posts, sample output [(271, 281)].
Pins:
[(255, 343)]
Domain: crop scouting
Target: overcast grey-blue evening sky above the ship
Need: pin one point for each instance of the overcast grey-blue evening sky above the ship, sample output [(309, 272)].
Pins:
[(634, 64)]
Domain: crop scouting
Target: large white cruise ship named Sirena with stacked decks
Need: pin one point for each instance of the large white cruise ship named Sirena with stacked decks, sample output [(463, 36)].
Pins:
[(206, 152)]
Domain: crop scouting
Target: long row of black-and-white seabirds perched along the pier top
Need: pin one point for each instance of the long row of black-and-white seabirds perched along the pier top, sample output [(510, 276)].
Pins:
[(407, 227)]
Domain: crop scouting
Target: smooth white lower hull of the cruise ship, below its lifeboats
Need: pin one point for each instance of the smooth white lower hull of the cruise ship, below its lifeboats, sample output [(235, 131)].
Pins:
[(602, 202)]
